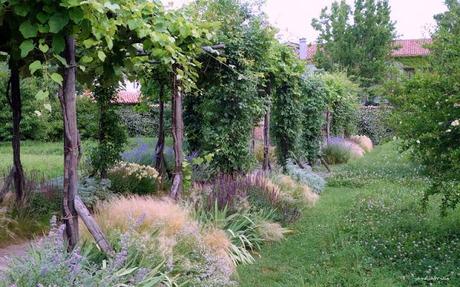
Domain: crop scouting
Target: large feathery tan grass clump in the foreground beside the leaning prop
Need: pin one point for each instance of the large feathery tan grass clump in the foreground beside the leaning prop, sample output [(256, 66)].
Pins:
[(162, 230)]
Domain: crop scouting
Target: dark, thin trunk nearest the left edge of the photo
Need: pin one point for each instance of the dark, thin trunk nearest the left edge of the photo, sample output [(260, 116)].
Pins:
[(16, 107)]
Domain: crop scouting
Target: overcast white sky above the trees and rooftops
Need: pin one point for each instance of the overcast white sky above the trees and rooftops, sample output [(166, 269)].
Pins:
[(293, 17)]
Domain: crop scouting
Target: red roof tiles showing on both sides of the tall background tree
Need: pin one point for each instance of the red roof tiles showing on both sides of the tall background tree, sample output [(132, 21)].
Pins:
[(404, 48)]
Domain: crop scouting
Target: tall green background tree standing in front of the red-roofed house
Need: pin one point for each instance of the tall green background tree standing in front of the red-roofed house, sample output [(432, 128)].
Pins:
[(358, 40)]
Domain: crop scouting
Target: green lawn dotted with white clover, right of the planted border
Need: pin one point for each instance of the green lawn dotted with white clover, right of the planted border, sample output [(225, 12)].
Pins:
[(368, 229)]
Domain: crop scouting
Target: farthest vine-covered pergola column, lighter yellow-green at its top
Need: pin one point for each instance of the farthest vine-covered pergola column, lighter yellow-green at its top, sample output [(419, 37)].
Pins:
[(343, 102)]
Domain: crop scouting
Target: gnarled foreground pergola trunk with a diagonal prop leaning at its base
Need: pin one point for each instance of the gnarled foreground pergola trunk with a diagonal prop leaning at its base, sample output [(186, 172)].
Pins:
[(68, 104)]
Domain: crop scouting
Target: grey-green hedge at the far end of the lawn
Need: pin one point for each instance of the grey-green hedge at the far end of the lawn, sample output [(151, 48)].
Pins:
[(373, 121)]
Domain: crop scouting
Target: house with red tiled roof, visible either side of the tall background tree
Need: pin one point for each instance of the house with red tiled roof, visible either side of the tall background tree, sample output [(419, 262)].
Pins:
[(412, 54)]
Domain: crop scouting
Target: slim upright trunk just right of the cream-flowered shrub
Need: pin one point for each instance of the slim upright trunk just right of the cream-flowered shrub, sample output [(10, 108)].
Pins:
[(178, 135)]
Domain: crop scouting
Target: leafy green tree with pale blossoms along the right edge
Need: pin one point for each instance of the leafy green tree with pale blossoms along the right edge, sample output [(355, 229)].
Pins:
[(426, 113)]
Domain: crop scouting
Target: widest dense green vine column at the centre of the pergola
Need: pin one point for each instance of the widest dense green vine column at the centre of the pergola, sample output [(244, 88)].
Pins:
[(219, 117)]
